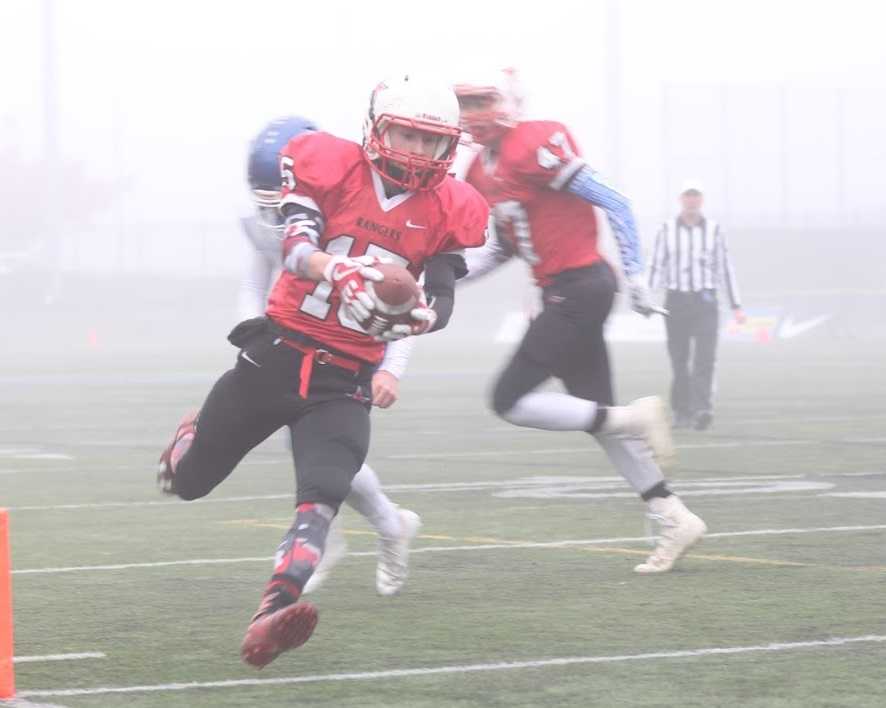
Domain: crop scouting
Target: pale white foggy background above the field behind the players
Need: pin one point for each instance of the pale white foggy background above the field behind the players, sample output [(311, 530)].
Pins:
[(124, 129)]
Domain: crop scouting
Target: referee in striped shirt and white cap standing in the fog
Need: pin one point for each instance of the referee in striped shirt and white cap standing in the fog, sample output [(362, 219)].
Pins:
[(691, 262)]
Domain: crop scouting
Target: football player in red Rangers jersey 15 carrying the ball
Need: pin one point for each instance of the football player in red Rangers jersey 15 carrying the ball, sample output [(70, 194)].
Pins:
[(308, 364)]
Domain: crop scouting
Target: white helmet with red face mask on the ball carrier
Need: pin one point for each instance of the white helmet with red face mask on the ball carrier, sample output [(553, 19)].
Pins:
[(417, 105)]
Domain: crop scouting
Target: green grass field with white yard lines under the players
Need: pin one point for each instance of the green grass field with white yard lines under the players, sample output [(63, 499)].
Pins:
[(525, 555)]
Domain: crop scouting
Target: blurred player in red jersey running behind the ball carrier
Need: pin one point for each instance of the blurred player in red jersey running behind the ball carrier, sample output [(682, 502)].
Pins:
[(543, 195)]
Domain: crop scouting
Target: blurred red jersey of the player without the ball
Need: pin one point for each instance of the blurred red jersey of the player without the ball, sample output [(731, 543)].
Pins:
[(550, 229)]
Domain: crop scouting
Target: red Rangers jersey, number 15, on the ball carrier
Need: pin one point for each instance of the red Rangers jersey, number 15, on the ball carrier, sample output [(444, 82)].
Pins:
[(333, 176)]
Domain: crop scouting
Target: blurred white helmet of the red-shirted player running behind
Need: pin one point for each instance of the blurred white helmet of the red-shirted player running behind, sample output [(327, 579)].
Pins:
[(491, 104)]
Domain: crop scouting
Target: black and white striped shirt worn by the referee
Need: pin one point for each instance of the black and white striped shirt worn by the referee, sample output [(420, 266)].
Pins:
[(692, 258)]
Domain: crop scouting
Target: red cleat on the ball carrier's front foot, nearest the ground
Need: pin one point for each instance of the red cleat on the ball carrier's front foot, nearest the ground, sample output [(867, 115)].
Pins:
[(270, 635)]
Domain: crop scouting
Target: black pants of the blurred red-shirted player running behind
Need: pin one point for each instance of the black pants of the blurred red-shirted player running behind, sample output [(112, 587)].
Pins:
[(565, 341)]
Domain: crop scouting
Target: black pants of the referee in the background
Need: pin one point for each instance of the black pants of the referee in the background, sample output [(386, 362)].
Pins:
[(692, 328)]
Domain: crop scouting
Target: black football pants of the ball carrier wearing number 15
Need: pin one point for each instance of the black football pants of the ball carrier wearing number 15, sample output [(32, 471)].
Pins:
[(329, 429)]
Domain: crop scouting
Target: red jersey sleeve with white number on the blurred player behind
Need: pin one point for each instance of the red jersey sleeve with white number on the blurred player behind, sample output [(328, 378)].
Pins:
[(539, 155)]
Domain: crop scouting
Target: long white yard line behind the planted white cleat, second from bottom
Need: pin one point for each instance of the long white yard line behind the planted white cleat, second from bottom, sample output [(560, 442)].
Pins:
[(453, 549)]
